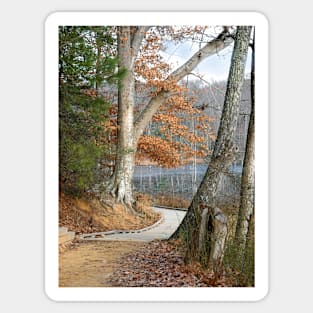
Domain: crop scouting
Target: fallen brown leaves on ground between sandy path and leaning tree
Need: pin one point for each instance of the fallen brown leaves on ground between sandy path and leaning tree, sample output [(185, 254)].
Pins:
[(160, 264)]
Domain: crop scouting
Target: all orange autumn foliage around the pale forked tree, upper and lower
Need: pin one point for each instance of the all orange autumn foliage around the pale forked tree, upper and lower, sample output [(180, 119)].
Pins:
[(178, 131)]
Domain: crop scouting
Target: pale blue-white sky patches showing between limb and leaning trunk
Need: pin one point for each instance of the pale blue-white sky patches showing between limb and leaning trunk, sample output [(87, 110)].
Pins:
[(213, 68)]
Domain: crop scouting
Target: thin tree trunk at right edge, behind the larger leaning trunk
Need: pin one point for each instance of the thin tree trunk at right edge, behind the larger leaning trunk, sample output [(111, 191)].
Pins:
[(246, 209)]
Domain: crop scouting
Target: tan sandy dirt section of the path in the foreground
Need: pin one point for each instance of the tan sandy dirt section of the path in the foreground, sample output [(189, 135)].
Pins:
[(89, 264)]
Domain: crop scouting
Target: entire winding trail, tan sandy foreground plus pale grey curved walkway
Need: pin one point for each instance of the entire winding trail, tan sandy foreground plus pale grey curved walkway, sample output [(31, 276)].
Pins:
[(89, 262)]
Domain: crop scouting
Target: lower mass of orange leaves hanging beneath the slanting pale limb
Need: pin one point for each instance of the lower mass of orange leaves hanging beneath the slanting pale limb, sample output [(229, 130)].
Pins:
[(181, 132)]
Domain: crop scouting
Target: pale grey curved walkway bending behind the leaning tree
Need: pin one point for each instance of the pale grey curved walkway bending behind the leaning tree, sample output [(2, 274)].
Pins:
[(161, 230)]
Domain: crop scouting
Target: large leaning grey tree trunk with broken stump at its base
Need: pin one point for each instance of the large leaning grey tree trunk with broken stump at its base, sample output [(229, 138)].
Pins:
[(205, 225)]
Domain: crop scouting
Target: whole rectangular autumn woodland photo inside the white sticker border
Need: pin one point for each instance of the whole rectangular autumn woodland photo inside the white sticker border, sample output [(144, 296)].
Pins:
[(156, 159)]
